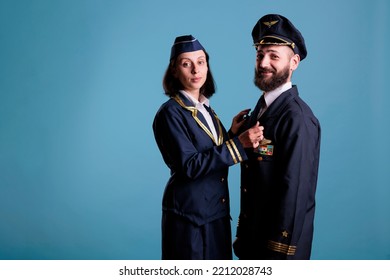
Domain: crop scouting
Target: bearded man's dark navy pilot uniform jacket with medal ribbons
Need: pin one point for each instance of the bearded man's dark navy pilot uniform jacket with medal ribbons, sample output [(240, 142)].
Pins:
[(278, 183)]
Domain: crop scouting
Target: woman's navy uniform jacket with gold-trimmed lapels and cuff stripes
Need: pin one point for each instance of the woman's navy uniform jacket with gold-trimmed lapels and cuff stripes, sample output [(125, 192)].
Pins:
[(198, 186)]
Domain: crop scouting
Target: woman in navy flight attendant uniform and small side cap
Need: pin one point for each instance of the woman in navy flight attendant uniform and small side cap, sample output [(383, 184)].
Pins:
[(197, 149)]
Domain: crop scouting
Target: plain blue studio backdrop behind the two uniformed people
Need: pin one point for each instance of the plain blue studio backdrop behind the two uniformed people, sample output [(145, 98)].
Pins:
[(80, 82)]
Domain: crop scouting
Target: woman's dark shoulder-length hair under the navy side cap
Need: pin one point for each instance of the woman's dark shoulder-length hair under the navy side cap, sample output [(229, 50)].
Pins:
[(172, 85)]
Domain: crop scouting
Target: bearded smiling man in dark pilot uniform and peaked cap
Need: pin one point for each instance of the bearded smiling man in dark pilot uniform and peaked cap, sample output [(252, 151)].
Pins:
[(278, 181)]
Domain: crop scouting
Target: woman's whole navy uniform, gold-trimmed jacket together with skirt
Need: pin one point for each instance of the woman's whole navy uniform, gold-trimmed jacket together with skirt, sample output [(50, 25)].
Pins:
[(196, 212)]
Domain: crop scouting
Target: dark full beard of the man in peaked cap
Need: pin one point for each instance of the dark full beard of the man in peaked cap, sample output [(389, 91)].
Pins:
[(273, 82)]
